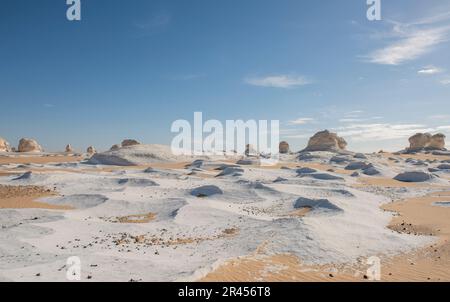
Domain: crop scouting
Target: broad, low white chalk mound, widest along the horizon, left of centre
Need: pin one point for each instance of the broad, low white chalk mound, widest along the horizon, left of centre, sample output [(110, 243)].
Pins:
[(137, 155)]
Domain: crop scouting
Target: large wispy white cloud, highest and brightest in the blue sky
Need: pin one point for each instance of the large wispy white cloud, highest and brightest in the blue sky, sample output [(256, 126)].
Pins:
[(412, 45)]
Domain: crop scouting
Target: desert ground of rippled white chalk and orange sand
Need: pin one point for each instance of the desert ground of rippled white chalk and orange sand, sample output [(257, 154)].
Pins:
[(147, 219)]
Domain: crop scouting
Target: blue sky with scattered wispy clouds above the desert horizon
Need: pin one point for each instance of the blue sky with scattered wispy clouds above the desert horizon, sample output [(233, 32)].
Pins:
[(129, 69)]
